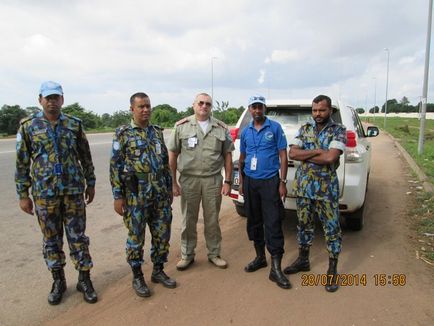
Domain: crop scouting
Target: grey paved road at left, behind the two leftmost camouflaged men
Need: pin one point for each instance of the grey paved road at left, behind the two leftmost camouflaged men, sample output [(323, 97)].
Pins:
[(25, 281)]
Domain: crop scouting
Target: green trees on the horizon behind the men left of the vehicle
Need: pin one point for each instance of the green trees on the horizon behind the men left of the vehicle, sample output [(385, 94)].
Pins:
[(163, 115)]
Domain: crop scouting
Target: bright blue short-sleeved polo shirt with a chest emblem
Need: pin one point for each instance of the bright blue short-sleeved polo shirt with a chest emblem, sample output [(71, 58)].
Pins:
[(265, 145)]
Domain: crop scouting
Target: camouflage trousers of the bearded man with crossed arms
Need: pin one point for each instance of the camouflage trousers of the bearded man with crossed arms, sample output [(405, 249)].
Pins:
[(328, 214)]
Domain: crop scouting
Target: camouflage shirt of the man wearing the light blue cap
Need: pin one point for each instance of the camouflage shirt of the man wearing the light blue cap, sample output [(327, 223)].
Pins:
[(37, 157)]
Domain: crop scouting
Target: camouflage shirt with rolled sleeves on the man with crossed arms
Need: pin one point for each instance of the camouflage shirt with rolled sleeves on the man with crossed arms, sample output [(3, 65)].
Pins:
[(315, 181)]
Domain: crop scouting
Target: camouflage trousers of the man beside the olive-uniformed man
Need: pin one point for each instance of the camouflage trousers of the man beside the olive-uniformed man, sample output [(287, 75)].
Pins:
[(153, 209)]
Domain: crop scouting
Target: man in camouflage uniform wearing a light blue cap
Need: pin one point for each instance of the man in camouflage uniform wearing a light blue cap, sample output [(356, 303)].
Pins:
[(53, 157)]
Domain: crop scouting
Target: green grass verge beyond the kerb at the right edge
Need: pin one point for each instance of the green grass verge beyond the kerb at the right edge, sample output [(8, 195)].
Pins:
[(406, 131)]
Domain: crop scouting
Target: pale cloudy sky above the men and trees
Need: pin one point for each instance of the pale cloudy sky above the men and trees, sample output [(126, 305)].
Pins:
[(103, 51)]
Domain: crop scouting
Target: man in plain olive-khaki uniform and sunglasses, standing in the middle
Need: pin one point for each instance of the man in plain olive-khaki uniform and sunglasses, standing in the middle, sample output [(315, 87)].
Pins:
[(198, 148)]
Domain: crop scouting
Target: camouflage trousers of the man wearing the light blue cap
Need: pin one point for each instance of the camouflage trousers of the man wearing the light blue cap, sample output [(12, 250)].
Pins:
[(56, 215)]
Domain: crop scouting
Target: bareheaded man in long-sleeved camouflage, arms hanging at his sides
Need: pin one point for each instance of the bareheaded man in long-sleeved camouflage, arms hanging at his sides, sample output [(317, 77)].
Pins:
[(142, 191)]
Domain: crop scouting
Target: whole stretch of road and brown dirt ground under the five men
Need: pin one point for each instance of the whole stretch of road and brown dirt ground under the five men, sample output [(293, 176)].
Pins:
[(209, 296)]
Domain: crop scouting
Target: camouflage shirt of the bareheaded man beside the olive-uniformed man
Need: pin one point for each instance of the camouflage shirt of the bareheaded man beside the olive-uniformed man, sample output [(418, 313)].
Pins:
[(142, 152)]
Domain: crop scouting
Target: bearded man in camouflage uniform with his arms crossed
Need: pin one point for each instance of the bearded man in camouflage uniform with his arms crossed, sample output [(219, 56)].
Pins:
[(318, 146)]
